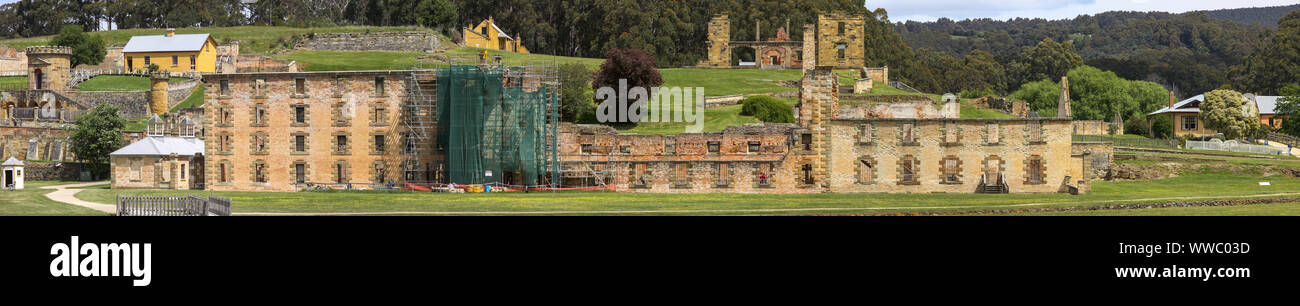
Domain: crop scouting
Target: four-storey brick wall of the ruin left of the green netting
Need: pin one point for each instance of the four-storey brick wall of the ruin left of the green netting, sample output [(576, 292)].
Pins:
[(335, 105)]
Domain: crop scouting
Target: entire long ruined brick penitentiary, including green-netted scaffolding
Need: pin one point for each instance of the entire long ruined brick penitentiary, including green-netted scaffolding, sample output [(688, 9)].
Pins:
[(496, 124)]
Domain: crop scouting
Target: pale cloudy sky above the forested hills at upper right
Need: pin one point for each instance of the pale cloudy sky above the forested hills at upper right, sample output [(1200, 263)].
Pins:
[(1051, 10)]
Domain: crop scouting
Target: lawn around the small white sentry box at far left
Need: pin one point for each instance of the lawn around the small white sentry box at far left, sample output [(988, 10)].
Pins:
[(32, 202)]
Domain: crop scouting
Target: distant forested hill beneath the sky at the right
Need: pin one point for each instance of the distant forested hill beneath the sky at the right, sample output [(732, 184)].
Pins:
[(1188, 53)]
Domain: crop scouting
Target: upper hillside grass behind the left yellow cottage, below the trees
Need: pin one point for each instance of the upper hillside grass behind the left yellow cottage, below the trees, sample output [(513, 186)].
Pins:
[(253, 40)]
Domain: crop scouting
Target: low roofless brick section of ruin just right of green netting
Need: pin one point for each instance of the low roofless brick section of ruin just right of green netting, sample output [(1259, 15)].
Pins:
[(734, 161)]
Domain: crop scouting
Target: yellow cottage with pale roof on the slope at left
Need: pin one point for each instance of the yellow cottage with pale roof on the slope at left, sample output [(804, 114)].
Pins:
[(172, 53)]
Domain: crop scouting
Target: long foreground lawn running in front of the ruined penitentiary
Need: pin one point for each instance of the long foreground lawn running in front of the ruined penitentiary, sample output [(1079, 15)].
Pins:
[(1210, 186)]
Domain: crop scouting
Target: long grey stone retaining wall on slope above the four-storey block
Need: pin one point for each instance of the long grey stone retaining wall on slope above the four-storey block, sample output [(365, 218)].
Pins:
[(398, 42)]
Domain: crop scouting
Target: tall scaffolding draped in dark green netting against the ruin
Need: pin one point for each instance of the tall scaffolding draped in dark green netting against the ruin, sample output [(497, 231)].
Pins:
[(497, 124)]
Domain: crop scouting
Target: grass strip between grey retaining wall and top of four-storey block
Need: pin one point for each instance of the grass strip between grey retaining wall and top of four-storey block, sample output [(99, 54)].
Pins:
[(352, 61)]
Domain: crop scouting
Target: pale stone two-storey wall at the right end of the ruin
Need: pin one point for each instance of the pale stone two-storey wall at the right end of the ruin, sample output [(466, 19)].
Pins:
[(874, 163)]
